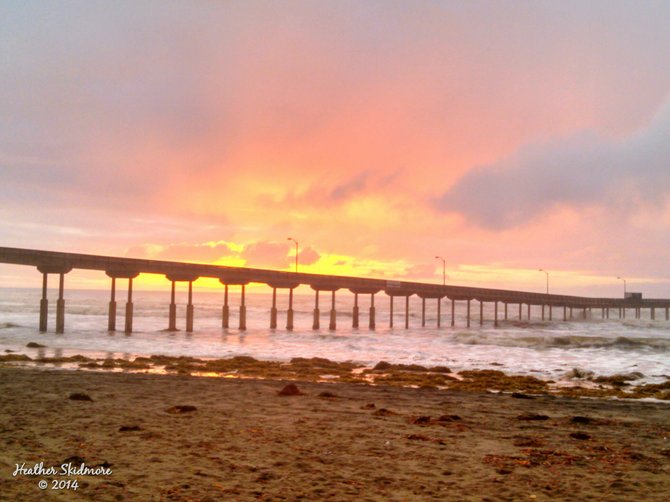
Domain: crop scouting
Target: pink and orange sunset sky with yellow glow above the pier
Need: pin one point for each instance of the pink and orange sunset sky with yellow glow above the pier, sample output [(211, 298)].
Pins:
[(503, 136)]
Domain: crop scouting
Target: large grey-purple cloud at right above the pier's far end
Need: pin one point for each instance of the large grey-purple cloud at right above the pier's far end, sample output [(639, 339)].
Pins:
[(578, 171)]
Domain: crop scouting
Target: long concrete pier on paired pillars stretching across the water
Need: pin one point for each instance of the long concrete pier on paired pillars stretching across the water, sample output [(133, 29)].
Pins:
[(59, 264)]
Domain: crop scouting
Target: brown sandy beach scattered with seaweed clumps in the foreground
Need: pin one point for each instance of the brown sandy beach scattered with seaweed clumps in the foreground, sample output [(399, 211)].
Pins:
[(344, 441)]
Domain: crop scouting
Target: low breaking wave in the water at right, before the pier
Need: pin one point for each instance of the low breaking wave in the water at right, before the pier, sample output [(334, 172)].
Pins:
[(563, 341)]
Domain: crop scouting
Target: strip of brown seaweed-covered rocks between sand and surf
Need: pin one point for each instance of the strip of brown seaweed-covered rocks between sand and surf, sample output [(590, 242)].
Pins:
[(576, 383)]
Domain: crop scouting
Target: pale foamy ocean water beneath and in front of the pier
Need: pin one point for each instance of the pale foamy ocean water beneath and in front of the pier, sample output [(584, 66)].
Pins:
[(546, 349)]
